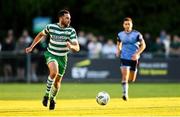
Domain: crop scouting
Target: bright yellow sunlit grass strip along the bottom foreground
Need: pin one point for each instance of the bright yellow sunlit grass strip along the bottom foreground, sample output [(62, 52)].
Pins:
[(89, 107)]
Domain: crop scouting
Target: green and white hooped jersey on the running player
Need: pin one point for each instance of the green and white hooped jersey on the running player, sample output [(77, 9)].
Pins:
[(58, 38)]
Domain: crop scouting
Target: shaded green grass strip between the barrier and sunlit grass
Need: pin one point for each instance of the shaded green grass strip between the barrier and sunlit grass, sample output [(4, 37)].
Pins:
[(84, 91)]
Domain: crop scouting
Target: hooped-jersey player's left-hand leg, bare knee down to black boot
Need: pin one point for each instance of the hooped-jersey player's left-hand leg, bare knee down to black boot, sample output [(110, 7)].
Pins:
[(53, 72)]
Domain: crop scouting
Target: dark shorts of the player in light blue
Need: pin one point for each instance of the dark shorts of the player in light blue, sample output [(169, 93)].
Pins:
[(129, 63)]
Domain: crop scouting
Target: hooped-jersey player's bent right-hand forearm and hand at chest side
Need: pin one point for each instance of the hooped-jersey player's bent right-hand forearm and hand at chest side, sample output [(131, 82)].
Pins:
[(73, 46)]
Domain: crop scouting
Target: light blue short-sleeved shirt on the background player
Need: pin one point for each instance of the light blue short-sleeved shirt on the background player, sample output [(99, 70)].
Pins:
[(130, 43)]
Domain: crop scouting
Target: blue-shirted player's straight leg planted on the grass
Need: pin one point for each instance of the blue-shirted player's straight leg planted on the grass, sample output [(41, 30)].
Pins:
[(125, 75)]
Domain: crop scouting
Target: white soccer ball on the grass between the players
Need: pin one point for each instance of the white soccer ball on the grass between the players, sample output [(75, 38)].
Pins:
[(102, 98)]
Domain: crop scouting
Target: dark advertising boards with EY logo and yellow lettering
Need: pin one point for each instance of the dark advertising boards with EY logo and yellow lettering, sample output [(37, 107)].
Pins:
[(149, 70)]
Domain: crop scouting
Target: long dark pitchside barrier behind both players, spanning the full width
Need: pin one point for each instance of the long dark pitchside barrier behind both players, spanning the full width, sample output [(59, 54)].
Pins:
[(82, 69)]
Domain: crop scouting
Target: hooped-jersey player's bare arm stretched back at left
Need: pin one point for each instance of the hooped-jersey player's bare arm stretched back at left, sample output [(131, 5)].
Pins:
[(35, 42)]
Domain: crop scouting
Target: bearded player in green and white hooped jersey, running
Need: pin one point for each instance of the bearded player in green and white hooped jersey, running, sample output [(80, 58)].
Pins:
[(62, 39)]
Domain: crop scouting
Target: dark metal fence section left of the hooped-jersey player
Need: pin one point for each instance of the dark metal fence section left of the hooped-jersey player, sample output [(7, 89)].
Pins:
[(21, 67)]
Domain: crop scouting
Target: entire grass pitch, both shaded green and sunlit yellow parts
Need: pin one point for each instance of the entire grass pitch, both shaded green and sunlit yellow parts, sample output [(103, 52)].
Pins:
[(78, 99)]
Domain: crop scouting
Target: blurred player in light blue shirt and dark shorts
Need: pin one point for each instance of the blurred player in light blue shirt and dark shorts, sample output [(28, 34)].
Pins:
[(130, 44)]
